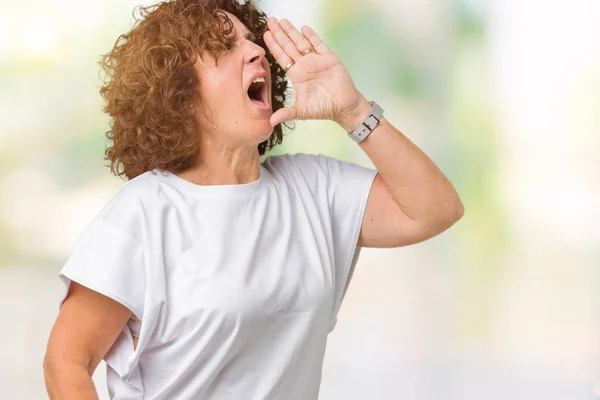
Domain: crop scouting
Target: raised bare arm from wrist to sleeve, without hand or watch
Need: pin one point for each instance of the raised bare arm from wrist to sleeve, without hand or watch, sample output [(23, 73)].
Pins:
[(411, 200)]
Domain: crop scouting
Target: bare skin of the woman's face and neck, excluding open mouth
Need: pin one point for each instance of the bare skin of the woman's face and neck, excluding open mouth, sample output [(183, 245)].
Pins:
[(231, 134)]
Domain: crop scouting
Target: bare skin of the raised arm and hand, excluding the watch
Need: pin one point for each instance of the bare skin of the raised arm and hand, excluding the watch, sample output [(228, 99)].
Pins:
[(411, 200)]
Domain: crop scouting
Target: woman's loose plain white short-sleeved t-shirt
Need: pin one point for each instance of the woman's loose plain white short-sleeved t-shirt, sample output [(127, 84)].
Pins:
[(233, 288)]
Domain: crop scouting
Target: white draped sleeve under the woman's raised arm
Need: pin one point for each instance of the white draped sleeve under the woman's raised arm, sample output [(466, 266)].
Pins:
[(348, 188)]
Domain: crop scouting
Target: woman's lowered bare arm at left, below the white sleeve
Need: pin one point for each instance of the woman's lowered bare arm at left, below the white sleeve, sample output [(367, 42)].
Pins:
[(86, 327)]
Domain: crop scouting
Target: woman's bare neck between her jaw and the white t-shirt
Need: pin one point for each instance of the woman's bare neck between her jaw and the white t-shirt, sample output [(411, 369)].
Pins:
[(220, 165)]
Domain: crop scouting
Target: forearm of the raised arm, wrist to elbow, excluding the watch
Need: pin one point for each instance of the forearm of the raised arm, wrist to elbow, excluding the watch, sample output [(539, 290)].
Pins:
[(417, 185)]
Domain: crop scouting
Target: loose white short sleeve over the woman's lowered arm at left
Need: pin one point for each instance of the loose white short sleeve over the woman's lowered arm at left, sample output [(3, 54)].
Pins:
[(108, 258)]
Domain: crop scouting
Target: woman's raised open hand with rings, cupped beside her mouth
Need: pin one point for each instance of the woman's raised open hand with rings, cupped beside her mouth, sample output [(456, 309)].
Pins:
[(323, 88)]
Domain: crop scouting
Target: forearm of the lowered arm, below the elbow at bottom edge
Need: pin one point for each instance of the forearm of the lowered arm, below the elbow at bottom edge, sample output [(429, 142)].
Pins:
[(69, 382)]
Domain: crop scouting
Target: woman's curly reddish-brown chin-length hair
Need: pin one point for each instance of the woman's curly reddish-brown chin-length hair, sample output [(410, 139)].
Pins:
[(150, 83)]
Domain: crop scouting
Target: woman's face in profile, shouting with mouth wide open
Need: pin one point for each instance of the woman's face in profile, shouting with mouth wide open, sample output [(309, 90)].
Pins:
[(235, 117)]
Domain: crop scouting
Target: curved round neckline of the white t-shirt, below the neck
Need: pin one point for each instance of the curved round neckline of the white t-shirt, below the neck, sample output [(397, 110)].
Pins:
[(233, 190)]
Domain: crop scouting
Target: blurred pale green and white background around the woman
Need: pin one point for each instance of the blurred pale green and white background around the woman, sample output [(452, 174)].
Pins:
[(503, 95)]
